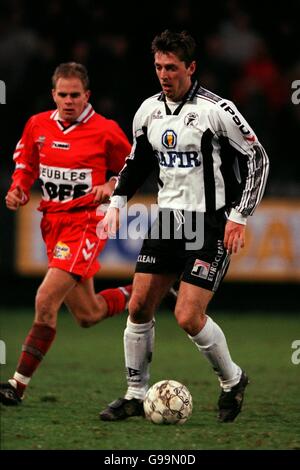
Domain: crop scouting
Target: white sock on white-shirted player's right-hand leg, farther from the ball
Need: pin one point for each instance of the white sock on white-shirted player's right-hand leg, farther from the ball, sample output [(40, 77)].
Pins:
[(212, 342)]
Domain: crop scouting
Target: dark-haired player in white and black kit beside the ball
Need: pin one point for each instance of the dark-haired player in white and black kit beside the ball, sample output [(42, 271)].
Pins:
[(210, 163)]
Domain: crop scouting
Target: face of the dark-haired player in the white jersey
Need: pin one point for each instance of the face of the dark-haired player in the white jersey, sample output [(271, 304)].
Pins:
[(174, 76)]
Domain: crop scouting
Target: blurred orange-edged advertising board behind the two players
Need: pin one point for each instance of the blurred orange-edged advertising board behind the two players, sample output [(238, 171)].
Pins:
[(272, 251)]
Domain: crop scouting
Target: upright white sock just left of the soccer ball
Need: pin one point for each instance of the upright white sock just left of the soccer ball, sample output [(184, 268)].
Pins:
[(138, 348)]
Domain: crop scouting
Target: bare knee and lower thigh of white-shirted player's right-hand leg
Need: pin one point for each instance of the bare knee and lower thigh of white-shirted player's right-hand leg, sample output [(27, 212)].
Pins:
[(191, 304)]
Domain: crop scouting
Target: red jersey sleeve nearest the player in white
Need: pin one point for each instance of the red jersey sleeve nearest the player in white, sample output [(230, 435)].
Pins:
[(118, 147)]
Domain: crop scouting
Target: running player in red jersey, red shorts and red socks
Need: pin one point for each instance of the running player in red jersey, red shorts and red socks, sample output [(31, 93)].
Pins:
[(71, 150)]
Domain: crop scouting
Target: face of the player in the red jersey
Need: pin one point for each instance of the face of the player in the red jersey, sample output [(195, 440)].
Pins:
[(70, 97)]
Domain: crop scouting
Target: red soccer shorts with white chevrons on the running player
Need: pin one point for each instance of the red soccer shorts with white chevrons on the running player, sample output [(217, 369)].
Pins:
[(71, 241)]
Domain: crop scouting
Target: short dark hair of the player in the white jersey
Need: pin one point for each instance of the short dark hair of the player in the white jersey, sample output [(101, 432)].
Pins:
[(181, 44)]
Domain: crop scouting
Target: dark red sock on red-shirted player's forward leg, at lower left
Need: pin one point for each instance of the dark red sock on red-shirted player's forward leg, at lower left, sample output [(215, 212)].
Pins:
[(37, 343)]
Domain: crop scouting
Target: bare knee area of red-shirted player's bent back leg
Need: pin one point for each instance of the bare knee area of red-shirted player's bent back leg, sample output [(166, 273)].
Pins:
[(82, 300)]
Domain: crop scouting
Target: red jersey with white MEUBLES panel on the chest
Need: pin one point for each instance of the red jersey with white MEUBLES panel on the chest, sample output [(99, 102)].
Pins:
[(69, 160)]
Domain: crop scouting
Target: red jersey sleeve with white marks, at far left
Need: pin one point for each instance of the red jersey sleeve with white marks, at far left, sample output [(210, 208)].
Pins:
[(26, 157)]
